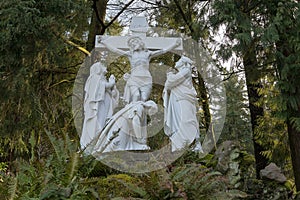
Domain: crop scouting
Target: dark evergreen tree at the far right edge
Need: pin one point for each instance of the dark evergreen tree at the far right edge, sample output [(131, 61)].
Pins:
[(286, 20)]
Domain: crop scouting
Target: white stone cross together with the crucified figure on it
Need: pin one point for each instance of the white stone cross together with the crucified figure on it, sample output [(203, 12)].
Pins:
[(139, 49)]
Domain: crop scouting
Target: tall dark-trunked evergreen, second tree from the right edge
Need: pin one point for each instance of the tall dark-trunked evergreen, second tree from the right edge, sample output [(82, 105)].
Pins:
[(237, 18)]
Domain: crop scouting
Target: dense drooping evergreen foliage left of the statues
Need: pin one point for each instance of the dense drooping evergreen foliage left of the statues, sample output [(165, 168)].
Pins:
[(37, 67)]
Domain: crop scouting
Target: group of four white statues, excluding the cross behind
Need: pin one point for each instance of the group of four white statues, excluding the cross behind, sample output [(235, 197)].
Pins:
[(106, 131)]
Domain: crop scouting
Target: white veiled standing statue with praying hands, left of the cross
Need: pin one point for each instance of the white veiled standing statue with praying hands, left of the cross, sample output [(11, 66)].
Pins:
[(101, 97)]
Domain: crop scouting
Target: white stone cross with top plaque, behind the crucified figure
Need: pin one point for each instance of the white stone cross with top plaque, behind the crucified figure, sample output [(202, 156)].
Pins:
[(138, 27)]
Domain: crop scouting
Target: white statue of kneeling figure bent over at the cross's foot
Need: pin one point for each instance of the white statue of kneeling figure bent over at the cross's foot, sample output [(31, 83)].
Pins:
[(126, 130)]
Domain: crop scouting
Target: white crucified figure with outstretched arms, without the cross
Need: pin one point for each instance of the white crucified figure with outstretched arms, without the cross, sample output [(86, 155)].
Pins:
[(139, 81)]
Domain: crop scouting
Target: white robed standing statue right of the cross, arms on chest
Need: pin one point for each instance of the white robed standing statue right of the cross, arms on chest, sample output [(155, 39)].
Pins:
[(180, 99)]
